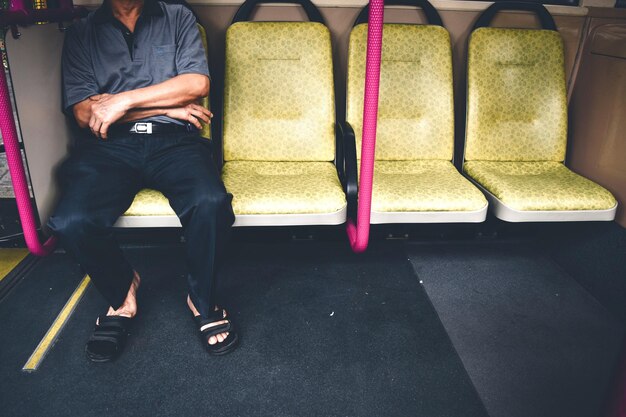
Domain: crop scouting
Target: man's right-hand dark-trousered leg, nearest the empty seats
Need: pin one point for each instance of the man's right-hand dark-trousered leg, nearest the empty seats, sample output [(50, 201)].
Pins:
[(186, 174)]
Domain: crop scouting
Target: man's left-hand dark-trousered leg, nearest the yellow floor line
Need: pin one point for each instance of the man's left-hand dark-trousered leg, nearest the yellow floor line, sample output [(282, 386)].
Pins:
[(98, 183)]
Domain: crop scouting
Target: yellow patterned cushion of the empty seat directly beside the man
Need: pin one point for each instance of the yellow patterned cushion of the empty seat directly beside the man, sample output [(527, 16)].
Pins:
[(283, 187)]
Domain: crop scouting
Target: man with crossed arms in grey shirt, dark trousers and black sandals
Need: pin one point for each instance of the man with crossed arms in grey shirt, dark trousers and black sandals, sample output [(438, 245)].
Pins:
[(133, 74)]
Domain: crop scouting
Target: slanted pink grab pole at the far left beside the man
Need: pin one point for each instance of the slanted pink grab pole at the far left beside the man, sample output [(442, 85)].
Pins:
[(18, 175)]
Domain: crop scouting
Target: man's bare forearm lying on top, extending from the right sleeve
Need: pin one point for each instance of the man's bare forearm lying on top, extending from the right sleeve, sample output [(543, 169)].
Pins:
[(175, 92)]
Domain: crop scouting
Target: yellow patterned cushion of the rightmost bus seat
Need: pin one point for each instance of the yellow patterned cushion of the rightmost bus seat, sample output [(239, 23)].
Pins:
[(539, 186)]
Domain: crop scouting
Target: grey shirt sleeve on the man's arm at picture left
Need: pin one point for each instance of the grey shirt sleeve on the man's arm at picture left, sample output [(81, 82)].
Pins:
[(78, 79)]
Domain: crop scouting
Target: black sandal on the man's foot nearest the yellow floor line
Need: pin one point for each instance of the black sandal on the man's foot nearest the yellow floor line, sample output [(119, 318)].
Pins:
[(108, 338)]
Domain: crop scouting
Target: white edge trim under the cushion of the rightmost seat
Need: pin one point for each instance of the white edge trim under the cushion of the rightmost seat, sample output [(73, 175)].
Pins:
[(508, 214)]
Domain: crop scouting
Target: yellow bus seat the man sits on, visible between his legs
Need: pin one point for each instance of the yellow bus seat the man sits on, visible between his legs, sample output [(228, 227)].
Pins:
[(150, 208)]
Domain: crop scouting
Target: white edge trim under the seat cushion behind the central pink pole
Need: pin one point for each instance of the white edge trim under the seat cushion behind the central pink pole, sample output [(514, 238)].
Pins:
[(476, 216)]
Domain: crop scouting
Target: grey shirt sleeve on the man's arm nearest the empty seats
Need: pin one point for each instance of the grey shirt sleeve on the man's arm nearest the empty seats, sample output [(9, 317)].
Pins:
[(190, 52)]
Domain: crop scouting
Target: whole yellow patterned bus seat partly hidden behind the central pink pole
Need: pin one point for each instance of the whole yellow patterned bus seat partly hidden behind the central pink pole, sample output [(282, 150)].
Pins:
[(414, 178)]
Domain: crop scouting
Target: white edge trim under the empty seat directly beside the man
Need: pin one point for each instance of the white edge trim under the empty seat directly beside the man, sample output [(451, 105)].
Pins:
[(244, 220)]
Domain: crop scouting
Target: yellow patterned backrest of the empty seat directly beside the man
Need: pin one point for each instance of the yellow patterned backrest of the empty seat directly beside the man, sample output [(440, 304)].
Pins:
[(278, 92)]
